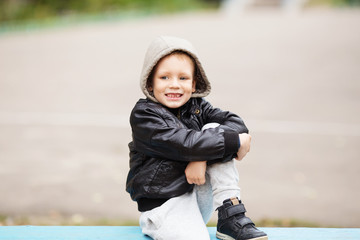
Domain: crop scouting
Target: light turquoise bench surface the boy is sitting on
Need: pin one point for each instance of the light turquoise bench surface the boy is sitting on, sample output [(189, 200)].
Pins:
[(121, 232)]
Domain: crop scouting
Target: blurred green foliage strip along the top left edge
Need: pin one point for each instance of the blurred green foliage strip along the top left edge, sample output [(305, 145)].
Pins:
[(20, 10)]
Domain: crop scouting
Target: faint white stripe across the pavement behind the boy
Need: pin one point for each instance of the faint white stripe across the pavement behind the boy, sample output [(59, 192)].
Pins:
[(122, 121)]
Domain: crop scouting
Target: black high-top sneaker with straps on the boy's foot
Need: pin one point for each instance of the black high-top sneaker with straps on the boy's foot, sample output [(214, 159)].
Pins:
[(234, 225)]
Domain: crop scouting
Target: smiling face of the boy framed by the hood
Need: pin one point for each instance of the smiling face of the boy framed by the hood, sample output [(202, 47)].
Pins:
[(173, 81)]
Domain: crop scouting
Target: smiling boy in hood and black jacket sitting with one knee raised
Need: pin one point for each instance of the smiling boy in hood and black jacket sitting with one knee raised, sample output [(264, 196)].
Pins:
[(181, 156)]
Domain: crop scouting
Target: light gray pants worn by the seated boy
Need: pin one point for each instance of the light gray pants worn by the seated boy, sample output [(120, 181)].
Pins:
[(185, 217)]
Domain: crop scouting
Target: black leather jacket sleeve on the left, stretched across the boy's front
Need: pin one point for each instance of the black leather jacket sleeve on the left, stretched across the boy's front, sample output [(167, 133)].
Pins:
[(158, 135)]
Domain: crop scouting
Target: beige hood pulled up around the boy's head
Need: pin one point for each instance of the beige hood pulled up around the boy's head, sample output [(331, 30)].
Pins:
[(163, 46)]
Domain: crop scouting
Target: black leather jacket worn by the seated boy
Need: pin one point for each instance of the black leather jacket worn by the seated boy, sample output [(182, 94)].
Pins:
[(165, 140)]
